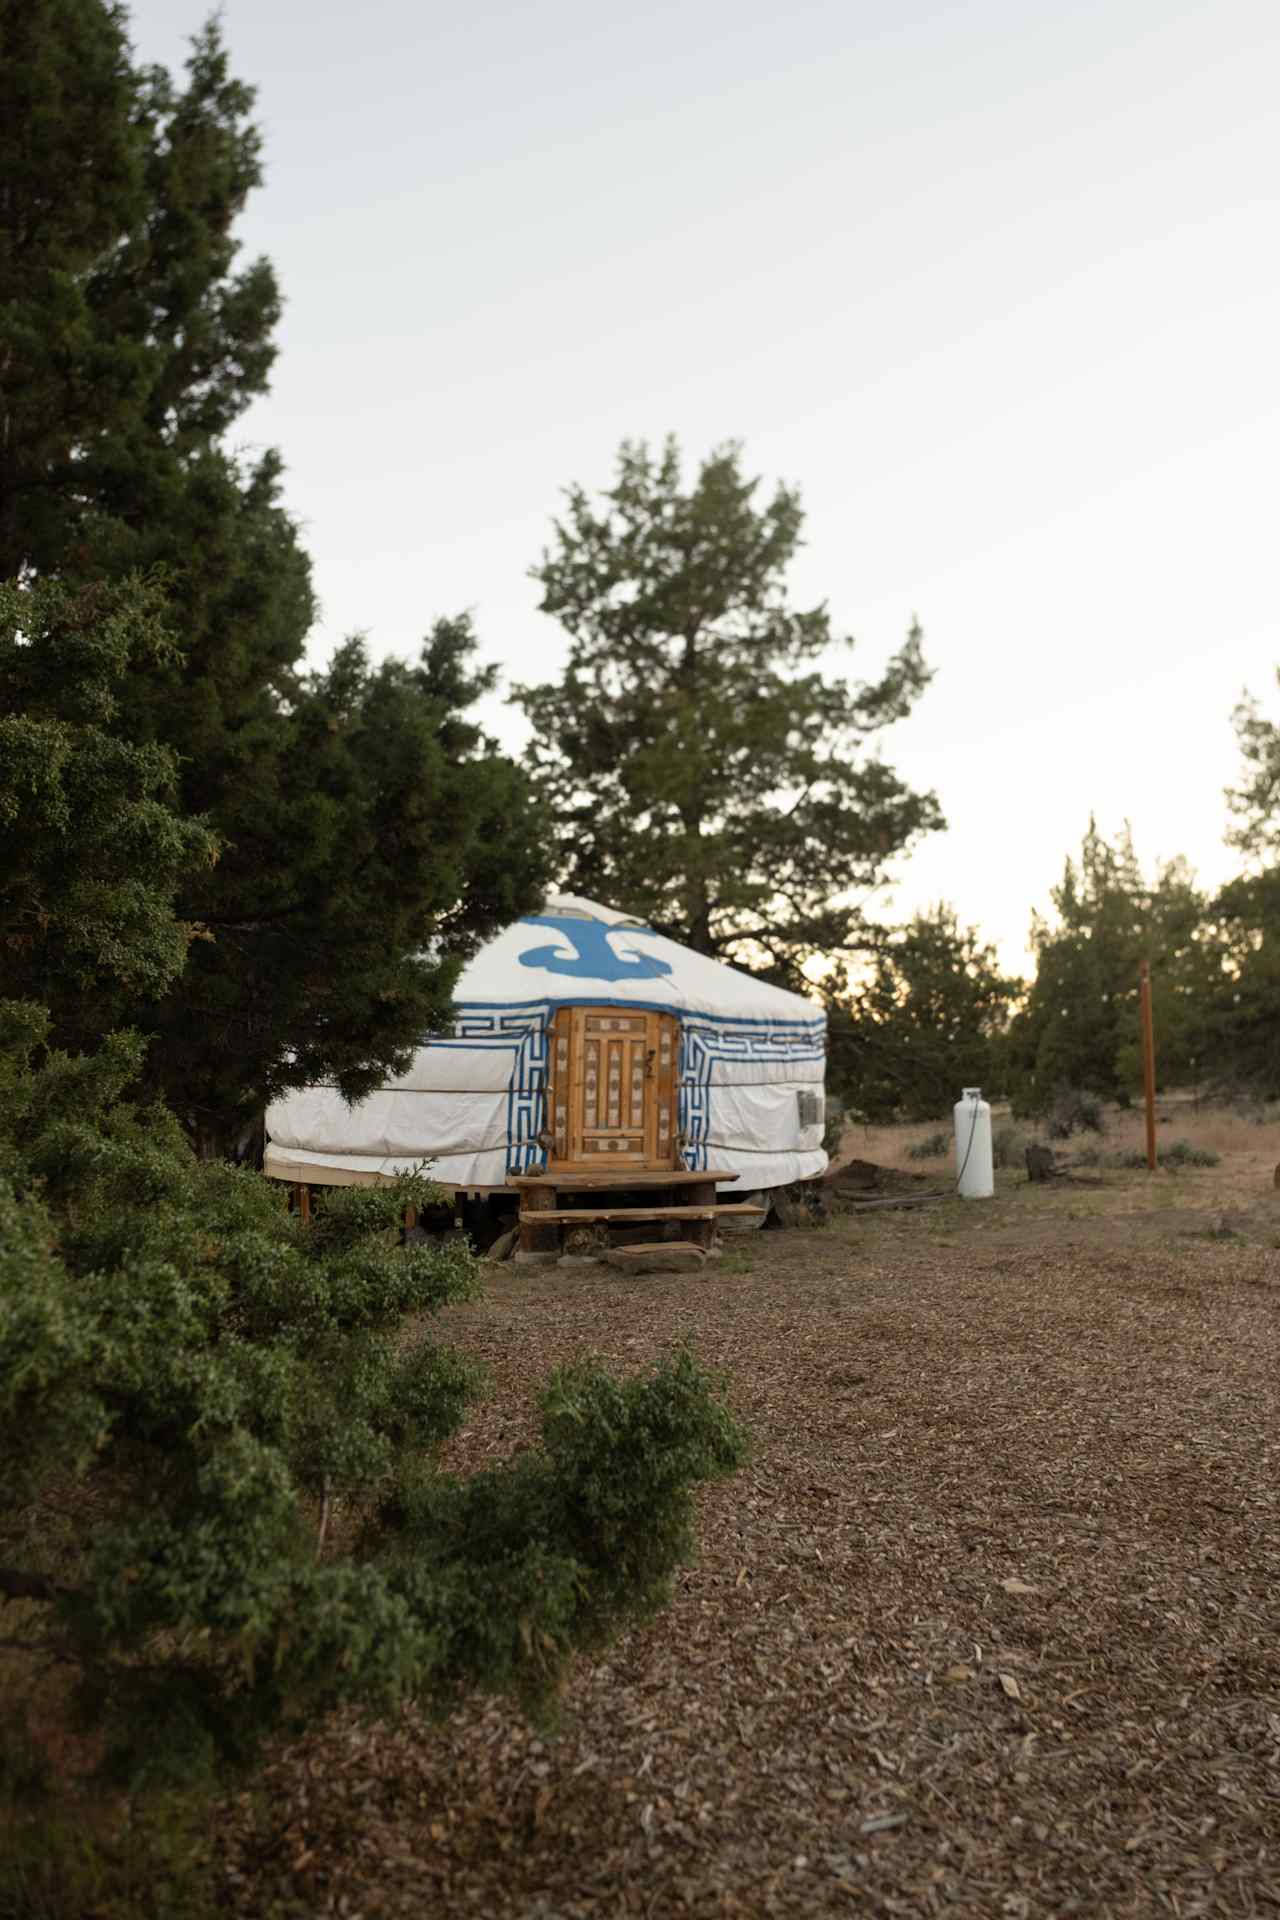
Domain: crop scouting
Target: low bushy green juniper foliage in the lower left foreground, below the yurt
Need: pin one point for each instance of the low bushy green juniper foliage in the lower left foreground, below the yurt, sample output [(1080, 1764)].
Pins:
[(247, 1412)]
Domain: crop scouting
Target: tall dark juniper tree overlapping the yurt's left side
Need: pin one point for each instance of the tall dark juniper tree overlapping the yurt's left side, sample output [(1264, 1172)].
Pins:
[(362, 817)]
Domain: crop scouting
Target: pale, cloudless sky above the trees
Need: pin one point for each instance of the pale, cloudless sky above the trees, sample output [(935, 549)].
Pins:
[(995, 285)]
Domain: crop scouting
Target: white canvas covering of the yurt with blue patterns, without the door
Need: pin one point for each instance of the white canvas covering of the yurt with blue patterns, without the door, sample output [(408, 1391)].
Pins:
[(473, 1105)]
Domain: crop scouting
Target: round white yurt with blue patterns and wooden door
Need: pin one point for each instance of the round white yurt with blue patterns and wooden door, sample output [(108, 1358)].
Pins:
[(584, 1042)]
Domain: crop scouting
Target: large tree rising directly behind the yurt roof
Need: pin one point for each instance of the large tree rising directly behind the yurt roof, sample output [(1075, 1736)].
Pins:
[(701, 763)]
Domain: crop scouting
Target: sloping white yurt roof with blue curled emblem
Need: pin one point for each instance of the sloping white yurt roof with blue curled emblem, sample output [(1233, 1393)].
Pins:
[(577, 953)]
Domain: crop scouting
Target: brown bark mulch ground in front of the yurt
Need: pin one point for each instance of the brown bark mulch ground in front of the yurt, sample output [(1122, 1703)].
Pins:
[(989, 1625)]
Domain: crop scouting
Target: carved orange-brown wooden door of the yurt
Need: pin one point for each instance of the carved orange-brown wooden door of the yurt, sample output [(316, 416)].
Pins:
[(613, 1090)]
